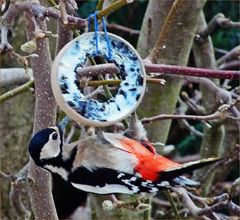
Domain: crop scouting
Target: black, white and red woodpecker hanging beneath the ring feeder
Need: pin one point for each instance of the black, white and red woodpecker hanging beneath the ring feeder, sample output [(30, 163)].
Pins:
[(108, 163)]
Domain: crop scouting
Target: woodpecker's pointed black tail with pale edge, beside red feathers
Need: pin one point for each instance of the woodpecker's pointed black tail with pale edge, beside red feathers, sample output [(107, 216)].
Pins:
[(172, 174)]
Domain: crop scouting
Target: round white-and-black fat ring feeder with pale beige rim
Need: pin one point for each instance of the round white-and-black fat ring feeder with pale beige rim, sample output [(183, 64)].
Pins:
[(91, 111)]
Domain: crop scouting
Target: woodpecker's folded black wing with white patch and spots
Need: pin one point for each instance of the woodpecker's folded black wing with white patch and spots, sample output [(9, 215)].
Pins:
[(108, 181)]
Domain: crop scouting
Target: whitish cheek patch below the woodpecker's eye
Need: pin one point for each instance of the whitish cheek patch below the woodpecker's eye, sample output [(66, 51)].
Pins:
[(50, 149)]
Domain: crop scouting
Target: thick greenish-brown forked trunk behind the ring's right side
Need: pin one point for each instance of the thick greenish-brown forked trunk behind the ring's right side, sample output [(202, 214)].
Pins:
[(173, 46)]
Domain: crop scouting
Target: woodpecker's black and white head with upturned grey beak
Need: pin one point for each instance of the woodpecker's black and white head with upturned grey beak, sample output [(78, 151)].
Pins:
[(47, 143)]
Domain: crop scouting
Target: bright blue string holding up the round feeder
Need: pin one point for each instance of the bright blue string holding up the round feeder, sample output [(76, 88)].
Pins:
[(96, 29)]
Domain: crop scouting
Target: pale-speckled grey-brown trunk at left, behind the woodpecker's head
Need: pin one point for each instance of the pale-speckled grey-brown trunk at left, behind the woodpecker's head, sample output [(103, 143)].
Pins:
[(45, 111)]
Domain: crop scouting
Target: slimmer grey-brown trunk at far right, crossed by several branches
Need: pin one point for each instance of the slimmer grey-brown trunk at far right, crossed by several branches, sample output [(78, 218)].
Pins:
[(212, 143)]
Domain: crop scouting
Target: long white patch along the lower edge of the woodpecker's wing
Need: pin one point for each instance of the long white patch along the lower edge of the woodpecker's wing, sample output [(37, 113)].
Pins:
[(107, 189)]
